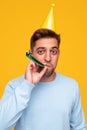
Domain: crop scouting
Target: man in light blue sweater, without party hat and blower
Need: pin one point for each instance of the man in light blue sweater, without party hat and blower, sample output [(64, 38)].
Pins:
[(42, 99)]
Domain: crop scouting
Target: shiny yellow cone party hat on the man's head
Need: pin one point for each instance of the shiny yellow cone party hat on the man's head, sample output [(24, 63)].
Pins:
[(49, 21)]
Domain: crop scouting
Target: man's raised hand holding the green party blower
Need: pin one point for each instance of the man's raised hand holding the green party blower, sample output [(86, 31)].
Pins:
[(32, 74)]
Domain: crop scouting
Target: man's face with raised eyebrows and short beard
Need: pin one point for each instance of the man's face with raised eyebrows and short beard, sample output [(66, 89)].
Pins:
[(46, 51)]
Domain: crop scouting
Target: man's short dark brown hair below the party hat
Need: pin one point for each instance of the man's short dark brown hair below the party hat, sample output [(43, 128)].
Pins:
[(43, 33)]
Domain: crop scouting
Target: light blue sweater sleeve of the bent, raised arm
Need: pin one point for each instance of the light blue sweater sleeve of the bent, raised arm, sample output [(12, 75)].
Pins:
[(13, 103)]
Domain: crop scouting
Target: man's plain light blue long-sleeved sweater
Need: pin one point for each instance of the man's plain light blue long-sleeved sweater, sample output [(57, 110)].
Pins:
[(54, 105)]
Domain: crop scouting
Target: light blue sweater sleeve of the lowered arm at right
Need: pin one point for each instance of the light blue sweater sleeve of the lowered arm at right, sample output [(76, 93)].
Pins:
[(77, 120)]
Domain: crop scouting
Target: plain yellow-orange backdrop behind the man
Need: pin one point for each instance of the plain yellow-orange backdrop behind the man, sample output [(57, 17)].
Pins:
[(19, 18)]
